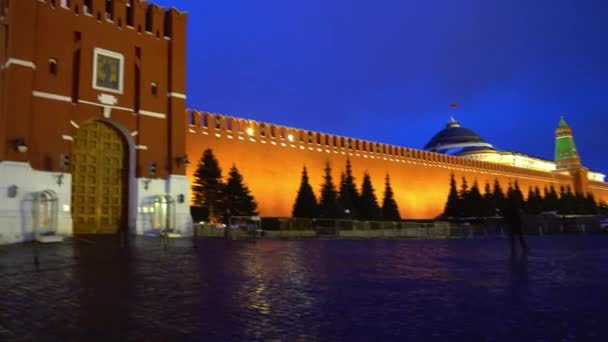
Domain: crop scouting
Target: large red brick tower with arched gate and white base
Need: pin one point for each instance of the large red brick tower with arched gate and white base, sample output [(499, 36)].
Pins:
[(92, 96)]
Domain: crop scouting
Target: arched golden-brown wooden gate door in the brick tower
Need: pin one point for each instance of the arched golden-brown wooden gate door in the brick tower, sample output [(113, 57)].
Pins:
[(99, 180)]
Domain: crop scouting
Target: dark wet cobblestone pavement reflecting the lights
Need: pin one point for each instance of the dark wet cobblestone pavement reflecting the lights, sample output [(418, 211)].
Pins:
[(328, 290)]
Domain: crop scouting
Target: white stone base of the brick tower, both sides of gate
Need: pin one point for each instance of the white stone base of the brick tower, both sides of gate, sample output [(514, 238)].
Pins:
[(20, 185)]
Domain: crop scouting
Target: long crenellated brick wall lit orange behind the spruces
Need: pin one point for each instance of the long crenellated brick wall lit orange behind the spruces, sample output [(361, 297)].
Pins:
[(271, 165)]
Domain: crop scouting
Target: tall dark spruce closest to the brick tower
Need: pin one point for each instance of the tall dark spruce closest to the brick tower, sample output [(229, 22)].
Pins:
[(207, 186)]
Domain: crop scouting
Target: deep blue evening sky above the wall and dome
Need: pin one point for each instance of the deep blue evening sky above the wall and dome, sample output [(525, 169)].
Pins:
[(387, 70)]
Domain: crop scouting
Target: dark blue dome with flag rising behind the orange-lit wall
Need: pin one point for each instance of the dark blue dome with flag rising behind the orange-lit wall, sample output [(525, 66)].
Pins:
[(456, 138)]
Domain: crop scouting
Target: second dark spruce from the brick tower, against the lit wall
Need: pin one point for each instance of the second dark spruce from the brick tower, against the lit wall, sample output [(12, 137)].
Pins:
[(237, 196)]
